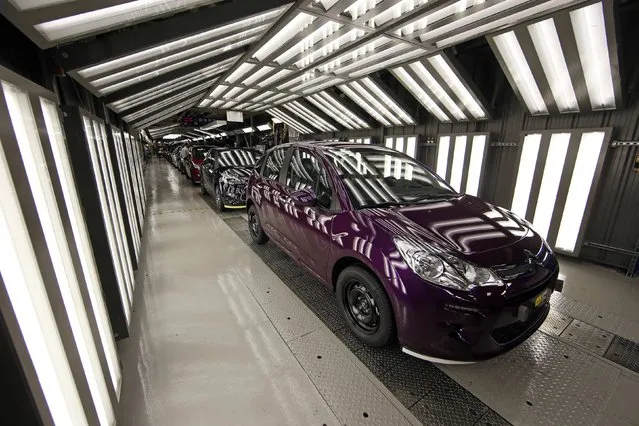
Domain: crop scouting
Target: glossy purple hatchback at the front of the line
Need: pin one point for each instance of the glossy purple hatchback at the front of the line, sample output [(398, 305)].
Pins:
[(453, 278)]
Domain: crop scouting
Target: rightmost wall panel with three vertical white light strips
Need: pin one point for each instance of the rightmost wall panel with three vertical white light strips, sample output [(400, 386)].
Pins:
[(557, 177)]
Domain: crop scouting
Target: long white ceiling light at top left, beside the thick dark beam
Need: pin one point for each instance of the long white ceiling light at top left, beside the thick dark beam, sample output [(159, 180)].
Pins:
[(108, 18)]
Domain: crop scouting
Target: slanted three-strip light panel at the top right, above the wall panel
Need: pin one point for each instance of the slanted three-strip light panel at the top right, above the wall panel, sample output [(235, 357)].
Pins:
[(535, 60)]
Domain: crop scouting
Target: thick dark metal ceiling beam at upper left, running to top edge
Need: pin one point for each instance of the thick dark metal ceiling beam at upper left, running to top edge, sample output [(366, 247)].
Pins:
[(116, 44)]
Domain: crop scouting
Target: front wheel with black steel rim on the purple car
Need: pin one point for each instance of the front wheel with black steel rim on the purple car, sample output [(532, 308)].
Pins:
[(365, 306)]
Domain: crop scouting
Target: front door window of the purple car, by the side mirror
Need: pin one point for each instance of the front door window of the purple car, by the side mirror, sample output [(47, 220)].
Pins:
[(305, 171)]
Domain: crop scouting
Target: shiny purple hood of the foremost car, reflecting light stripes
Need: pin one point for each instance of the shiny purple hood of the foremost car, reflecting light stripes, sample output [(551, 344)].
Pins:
[(463, 224)]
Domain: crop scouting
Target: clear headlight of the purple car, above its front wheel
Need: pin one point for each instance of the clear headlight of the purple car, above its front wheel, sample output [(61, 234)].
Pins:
[(444, 269)]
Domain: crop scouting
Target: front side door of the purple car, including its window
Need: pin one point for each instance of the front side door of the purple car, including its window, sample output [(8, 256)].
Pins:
[(308, 229)]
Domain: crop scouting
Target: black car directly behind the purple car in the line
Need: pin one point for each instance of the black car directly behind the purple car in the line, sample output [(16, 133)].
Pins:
[(225, 173)]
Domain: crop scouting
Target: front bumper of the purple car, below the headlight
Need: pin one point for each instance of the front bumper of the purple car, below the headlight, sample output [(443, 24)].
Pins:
[(445, 327)]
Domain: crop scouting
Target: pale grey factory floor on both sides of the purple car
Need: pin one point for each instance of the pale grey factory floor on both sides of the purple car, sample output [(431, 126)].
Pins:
[(218, 338)]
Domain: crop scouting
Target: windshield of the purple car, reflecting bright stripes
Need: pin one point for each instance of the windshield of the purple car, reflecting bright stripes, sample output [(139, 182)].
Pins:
[(379, 176)]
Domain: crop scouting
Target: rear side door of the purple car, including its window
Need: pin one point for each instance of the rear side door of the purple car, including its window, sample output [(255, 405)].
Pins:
[(269, 190)]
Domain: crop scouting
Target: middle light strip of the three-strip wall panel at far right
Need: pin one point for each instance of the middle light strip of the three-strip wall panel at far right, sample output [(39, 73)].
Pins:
[(550, 182)]
